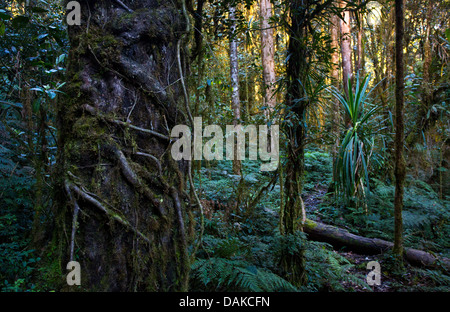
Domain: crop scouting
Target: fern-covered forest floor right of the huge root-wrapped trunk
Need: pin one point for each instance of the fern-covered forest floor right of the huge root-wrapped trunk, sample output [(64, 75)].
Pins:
[(254, 240)]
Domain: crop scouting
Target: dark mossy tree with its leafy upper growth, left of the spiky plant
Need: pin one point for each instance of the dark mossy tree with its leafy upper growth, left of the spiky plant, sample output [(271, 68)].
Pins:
[(302, 52)]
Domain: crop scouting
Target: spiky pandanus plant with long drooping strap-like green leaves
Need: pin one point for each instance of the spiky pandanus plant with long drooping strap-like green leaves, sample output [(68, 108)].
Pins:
[(352, 161)]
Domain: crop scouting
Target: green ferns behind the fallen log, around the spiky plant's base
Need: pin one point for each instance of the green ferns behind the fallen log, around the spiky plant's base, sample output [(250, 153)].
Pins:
[(425, 216)]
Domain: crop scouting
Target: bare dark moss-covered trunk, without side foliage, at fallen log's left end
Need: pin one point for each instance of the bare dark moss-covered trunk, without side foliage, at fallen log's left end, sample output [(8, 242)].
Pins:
[(292, 258)]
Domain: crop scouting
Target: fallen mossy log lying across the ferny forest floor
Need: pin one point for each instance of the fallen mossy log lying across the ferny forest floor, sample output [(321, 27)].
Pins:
[(340, 238)]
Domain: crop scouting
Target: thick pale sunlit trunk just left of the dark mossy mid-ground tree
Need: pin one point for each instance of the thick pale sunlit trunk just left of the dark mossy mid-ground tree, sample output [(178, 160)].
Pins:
[(267, 55)]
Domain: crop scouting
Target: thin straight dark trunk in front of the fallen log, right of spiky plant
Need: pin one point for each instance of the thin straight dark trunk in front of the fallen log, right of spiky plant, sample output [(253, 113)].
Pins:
[(400, 166)]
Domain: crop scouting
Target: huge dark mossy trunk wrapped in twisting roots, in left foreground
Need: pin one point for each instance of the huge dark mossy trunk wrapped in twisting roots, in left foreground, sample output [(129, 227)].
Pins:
[(121, 203)]
